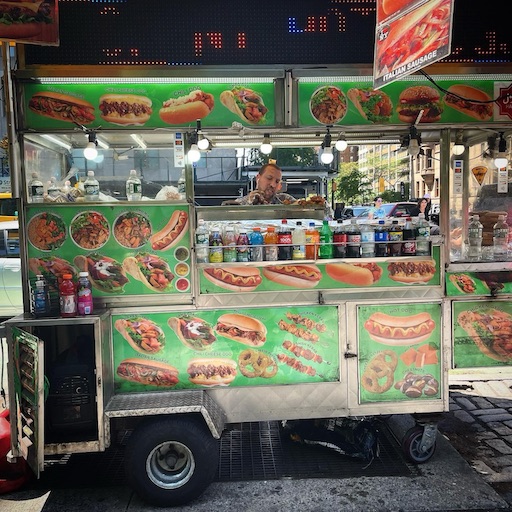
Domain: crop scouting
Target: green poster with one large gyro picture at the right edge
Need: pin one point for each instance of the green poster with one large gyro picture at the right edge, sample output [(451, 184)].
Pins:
[(482, 333)]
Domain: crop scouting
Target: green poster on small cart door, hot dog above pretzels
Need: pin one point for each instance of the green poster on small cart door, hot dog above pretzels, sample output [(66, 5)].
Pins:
[(399, 352)]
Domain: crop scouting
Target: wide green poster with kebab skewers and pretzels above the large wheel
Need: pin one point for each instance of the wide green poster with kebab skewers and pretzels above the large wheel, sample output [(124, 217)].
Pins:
[(249, 347)]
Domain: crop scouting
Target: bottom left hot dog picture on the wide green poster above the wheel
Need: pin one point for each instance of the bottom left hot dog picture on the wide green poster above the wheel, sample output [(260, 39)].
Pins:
[(148, 372)]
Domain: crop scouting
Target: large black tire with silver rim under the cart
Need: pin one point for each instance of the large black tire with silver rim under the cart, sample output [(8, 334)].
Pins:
[(166, 486)]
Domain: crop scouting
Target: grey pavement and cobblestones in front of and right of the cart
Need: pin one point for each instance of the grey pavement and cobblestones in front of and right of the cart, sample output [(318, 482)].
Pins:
[(471, 470)]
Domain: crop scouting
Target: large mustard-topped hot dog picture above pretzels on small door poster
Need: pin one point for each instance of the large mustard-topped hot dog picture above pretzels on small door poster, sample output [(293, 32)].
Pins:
[(399, 330)]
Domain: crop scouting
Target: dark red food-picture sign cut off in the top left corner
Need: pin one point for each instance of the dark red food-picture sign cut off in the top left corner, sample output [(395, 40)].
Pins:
[(23, 19)]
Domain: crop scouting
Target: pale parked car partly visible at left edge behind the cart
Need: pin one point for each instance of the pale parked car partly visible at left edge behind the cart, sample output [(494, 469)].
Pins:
[(11, 292)]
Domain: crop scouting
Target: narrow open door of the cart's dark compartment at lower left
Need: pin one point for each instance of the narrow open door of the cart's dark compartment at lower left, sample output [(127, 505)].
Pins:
[(27, 395)]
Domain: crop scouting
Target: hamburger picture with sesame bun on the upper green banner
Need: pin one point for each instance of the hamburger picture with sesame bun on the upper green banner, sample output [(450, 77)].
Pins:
[(417, 98)]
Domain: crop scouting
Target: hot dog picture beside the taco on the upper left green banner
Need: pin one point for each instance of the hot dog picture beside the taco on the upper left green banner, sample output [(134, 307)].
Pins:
[(186, 109)]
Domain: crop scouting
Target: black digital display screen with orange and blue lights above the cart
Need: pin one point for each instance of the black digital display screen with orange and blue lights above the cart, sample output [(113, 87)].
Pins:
[(227, 32)]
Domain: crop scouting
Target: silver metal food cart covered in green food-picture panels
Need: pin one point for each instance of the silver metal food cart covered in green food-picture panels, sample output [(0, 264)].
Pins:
[(176, 364)]
